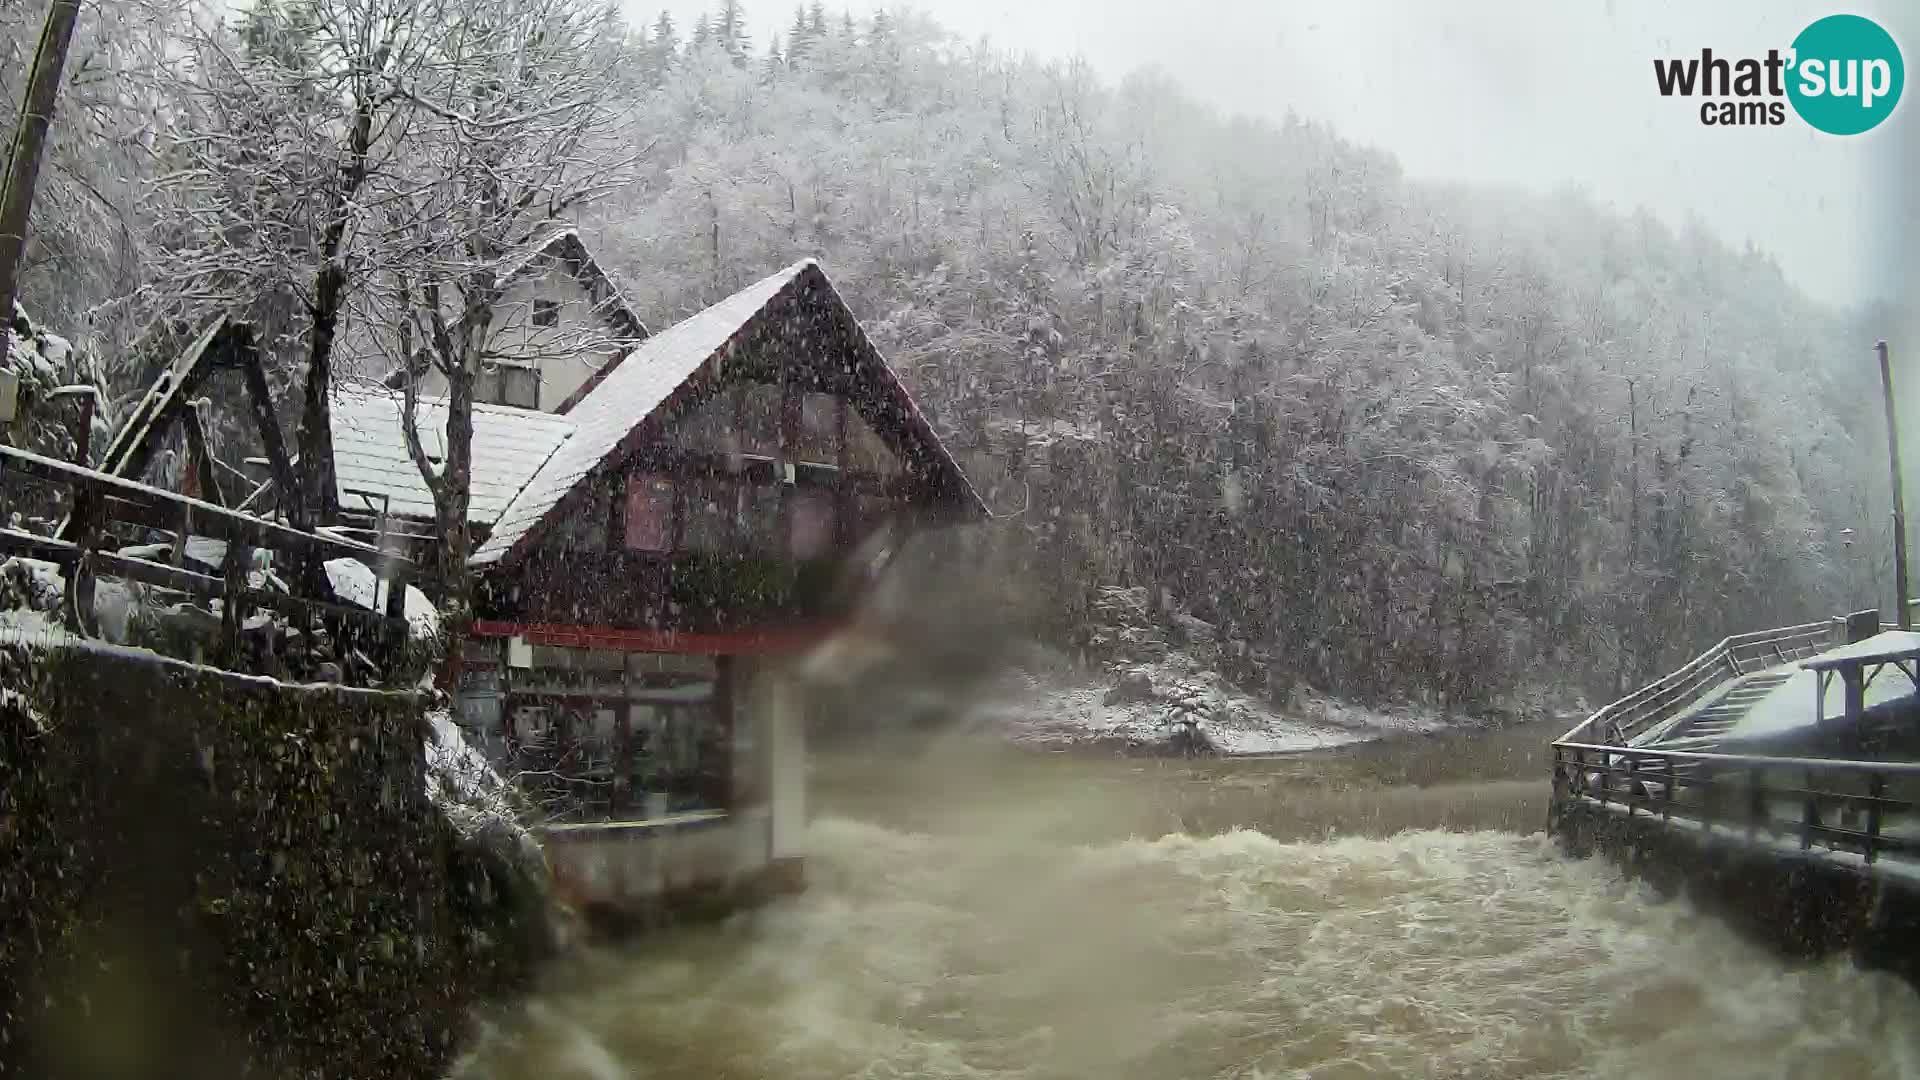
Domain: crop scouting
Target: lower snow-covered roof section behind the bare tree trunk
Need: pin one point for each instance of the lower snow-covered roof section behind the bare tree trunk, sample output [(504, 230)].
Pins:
[(372, 453)]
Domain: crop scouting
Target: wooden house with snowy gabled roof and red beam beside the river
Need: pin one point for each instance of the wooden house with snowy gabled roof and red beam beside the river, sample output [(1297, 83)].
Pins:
[(654, 552)]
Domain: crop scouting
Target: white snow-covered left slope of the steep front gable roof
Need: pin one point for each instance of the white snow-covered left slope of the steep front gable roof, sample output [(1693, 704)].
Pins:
[(627, 397)]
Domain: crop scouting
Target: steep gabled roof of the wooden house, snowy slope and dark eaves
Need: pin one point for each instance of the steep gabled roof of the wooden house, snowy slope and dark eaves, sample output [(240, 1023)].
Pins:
[(612, 416)]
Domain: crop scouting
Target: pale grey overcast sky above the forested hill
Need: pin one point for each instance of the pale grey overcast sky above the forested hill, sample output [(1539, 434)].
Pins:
[(1533, 93)]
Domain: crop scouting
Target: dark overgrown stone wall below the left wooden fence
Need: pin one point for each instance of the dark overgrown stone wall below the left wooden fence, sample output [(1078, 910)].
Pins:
[(216, 875)]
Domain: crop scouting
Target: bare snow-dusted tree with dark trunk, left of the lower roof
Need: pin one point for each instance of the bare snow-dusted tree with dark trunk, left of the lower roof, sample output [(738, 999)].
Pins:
[(287, 120)]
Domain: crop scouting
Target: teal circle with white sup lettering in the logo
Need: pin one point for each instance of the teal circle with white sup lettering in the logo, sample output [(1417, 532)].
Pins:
[(1846, 76)]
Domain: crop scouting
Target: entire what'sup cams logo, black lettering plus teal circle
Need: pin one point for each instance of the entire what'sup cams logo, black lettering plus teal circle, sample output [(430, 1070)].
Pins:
[(1844, 76)]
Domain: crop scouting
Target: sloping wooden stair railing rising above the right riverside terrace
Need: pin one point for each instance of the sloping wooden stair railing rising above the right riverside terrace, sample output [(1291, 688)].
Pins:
[(1731, 658)]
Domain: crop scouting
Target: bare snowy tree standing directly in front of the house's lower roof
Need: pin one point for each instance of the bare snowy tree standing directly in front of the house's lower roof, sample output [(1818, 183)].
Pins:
[(516, 124)]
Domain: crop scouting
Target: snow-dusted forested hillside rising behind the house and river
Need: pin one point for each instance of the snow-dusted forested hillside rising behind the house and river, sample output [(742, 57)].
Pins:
[(1381, 435)]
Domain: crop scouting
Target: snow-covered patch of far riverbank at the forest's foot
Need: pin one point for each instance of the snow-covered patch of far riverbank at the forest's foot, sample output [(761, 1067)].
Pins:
[(1038, 712)]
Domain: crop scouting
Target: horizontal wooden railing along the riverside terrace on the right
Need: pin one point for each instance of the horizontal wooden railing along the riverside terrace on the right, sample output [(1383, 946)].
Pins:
[(1806, 802)]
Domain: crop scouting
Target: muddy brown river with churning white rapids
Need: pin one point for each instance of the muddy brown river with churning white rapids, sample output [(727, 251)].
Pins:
[(1381, 912)]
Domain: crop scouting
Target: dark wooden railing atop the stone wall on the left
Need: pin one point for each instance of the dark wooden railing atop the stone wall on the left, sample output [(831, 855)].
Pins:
[(103, 503)]
